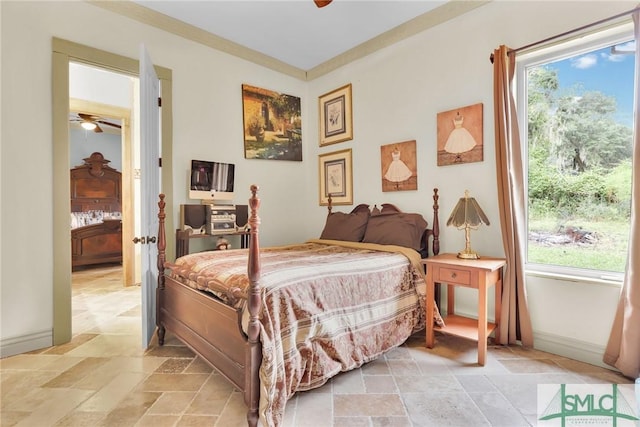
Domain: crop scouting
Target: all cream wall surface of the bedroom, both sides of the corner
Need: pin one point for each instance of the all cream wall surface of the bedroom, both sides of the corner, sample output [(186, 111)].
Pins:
[(397, 93)]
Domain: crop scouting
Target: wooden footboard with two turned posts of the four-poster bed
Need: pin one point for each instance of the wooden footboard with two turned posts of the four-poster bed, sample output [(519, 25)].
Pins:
[(212, 329)]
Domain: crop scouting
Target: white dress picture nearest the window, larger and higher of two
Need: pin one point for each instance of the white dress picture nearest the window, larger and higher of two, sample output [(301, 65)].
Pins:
[(460, 135)]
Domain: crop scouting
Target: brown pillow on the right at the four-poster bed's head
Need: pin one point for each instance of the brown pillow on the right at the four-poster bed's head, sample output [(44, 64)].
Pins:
[(401, 229)]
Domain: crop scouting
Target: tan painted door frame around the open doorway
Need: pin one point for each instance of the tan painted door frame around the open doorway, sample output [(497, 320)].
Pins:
[(64, 52)]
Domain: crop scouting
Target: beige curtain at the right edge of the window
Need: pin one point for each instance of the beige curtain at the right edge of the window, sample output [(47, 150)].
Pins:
[(623, 348)]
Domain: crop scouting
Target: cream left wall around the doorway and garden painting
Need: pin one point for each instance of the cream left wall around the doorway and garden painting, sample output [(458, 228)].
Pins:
[(207, 123)]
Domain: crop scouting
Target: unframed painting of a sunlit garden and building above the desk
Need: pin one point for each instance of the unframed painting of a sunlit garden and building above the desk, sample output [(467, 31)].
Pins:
[(272, 125)]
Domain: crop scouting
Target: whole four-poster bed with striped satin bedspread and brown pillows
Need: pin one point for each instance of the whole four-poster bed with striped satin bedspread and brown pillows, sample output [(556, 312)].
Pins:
[(279, 320)]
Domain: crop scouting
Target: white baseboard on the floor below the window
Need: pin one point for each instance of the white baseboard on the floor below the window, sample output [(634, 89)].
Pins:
[(568, 347)]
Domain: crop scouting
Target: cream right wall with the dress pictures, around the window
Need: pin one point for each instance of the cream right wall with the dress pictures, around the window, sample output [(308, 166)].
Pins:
[(397, 93)]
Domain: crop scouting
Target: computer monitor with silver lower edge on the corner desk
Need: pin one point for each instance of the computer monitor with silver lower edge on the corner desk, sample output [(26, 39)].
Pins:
[(211, 181)]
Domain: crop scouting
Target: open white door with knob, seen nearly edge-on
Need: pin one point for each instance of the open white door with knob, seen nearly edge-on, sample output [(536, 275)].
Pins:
[(149, 189)]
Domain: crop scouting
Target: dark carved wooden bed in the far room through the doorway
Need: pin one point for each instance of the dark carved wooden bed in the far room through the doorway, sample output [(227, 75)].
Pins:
[(96, 223)]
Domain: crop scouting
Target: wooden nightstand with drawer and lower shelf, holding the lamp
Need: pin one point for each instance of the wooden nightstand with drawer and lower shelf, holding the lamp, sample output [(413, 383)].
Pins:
[(478, 274)]
